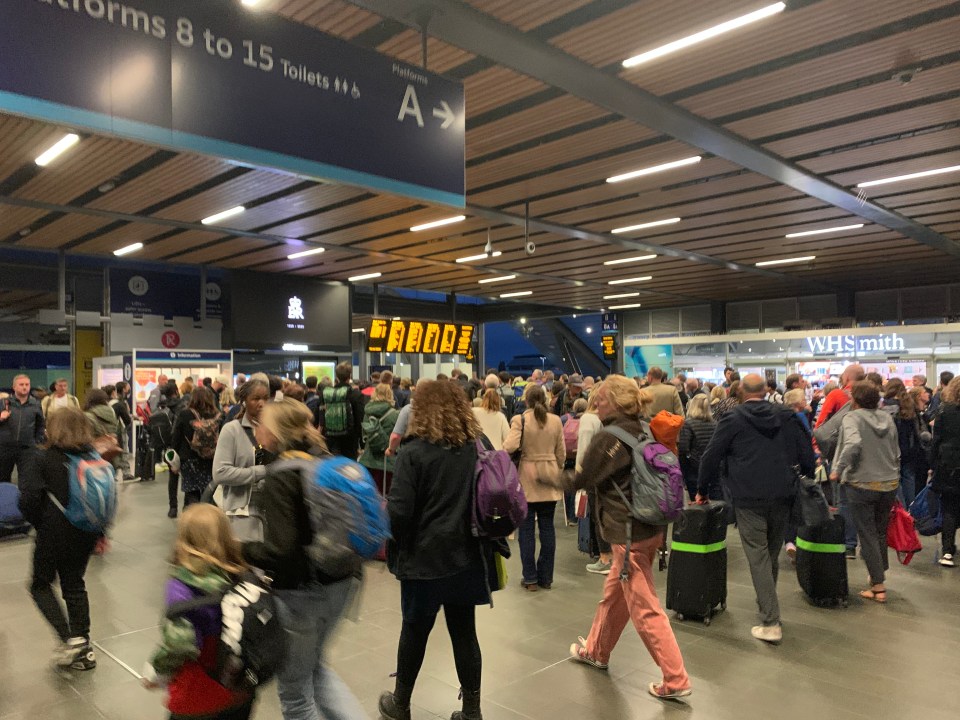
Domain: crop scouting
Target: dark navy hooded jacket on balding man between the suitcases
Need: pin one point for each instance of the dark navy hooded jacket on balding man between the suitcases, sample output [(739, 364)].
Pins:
[(760, 442)]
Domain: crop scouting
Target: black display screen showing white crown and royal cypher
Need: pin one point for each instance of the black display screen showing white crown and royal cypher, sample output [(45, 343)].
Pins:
[(269, 311)]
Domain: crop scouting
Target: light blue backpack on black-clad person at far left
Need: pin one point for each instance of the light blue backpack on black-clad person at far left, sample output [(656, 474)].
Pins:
[(93, 493)]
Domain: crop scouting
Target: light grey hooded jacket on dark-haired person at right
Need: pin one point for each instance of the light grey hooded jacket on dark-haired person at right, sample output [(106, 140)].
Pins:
[(868, 452)]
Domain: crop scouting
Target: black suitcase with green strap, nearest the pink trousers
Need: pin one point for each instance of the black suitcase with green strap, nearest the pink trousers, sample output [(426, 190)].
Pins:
[(697, 576)]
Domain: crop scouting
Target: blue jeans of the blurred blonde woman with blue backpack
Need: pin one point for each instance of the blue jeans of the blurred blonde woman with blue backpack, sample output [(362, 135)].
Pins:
[(308, 689)]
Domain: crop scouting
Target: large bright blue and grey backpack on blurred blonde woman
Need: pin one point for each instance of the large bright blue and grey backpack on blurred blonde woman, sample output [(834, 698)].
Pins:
[(347, 513)]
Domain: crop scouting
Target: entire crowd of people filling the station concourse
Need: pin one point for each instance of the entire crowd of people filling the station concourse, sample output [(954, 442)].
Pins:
[(743, 441)]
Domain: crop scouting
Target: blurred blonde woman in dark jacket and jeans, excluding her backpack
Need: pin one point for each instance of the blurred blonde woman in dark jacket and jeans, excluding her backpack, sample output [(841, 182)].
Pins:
[(309, 603)]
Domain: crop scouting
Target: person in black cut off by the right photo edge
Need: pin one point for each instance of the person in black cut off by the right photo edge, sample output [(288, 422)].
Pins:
[(945, 457)]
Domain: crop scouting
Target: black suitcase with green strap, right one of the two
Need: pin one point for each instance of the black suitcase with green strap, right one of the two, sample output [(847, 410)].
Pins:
[(822, 563)]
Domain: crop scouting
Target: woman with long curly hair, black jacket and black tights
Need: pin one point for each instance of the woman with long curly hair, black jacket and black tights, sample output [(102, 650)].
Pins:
[(434, 555)]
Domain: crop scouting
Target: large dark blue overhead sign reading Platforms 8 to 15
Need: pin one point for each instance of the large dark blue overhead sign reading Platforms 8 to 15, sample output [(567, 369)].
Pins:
[(215, 78)]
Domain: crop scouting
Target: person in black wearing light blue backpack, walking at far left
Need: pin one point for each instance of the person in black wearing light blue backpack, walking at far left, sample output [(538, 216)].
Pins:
[(69, 522)]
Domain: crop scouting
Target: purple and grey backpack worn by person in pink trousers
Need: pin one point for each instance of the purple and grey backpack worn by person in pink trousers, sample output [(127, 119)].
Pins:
[(656, 483)]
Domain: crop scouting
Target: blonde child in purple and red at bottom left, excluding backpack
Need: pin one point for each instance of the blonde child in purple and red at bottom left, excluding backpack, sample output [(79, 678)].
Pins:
[(206, 560)]
